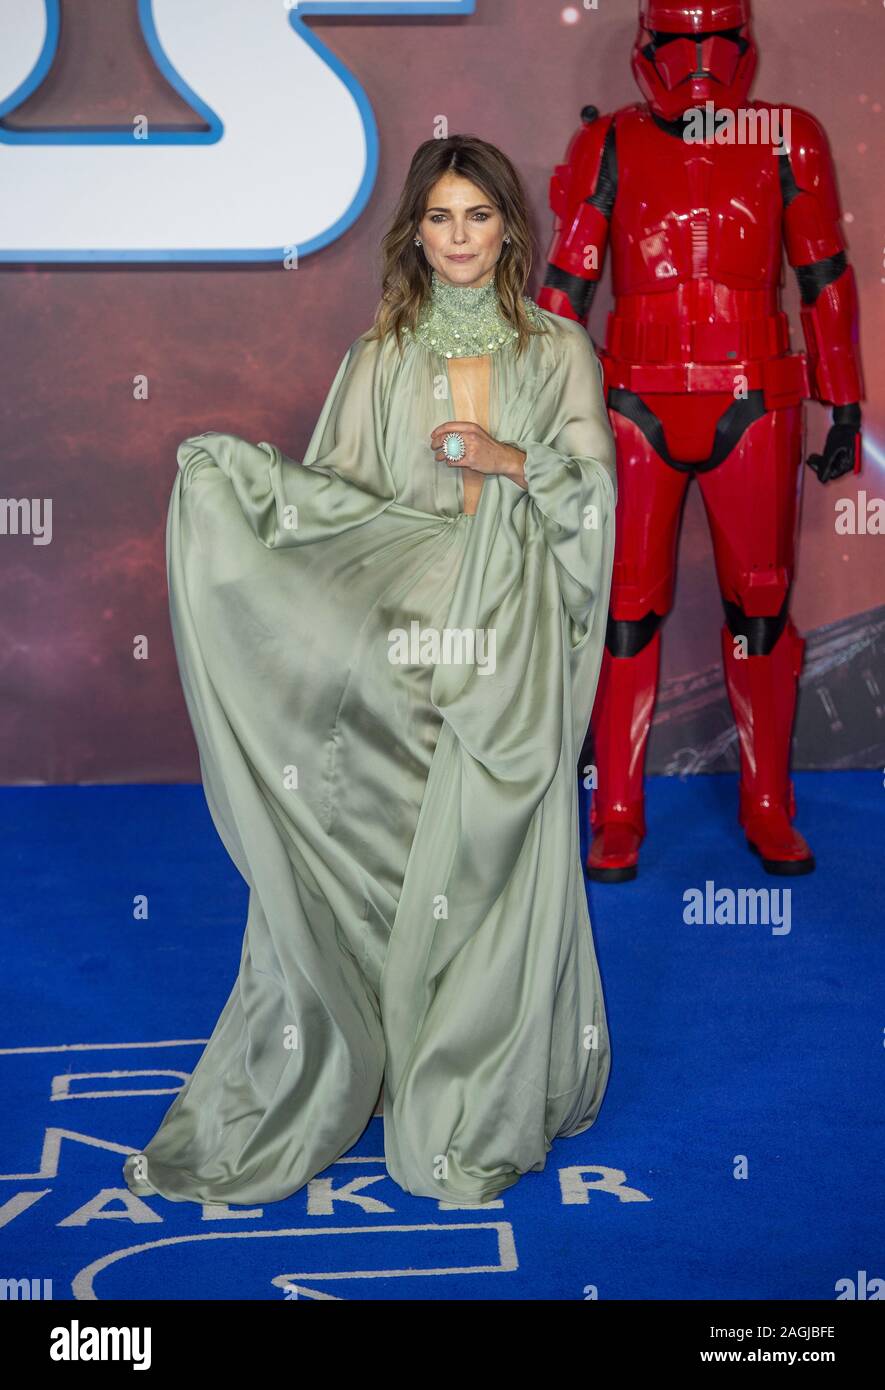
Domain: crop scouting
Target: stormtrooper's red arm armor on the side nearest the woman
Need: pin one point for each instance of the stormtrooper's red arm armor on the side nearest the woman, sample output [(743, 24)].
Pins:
[(581, 197)]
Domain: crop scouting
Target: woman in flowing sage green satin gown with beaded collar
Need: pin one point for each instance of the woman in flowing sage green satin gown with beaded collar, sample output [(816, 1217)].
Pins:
[(390, 654)]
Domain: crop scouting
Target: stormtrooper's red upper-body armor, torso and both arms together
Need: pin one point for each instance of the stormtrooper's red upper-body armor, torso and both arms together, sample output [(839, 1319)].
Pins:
[(700, 231)]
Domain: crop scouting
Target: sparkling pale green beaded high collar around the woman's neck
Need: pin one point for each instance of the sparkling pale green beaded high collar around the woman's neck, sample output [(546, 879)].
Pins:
[(466, 322)]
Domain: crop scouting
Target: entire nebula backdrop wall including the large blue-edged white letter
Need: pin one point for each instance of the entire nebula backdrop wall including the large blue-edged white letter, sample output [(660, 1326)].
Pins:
[(192, 199)]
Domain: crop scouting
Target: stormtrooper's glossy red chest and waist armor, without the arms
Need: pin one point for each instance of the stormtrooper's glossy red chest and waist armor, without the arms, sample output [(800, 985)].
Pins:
[(697, 245)]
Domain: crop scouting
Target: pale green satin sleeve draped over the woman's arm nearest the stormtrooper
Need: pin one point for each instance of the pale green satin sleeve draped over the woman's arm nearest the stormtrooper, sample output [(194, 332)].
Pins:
[(572, 479)]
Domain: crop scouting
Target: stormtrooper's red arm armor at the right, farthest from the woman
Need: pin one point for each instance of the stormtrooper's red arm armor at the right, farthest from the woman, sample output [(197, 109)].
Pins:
[(816, 248)]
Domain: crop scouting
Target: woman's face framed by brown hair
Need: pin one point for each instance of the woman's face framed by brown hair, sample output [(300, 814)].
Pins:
[(462, 233)]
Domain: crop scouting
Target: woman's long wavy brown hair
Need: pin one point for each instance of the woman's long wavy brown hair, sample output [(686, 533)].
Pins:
[(406, 273)]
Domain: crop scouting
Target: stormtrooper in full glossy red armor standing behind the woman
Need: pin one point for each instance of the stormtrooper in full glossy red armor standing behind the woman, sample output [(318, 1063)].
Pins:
[(701, 382)]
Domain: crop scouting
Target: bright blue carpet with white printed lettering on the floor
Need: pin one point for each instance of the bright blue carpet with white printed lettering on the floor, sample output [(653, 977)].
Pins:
[(737, 1050)]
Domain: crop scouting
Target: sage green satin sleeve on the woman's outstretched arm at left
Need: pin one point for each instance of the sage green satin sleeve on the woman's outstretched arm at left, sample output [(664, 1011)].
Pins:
[(344, 479)]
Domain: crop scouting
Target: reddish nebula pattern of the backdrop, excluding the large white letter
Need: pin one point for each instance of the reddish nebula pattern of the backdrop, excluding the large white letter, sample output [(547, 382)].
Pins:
[(254, 351)]
